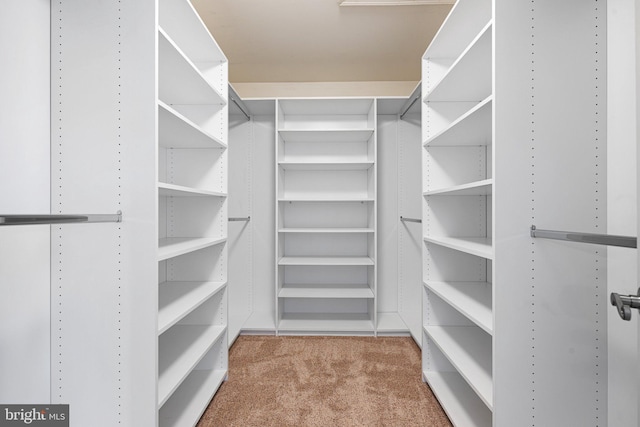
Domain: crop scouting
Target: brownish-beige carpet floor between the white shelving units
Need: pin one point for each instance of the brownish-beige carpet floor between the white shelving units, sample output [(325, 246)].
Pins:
[(324, 381)]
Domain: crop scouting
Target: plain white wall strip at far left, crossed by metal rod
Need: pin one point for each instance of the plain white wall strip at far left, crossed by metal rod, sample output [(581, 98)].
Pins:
[(24, 189)]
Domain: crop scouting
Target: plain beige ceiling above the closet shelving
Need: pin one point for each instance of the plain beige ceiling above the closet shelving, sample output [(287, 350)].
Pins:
[(319, 41)]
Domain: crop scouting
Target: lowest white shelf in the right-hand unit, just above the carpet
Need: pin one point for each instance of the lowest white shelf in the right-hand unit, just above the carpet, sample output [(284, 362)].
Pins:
[(461, 404)]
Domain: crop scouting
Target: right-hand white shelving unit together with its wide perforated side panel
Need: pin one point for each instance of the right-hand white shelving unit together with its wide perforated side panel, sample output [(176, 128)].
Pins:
[(504, 108)]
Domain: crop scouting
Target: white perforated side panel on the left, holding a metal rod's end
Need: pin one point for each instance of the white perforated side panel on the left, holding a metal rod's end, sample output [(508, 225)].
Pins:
[(104, 276)]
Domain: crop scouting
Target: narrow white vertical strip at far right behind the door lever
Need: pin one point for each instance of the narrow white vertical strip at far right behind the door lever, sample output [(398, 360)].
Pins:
[(621, 209)]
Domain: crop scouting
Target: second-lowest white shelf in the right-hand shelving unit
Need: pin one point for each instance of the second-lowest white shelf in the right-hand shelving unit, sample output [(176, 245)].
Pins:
[(469, 350)]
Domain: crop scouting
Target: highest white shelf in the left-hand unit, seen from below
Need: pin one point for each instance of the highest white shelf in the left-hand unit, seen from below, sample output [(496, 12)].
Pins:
[(180, 81)]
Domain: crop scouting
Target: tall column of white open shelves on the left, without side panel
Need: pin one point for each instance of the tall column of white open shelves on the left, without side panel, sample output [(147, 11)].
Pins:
[(192, 223)]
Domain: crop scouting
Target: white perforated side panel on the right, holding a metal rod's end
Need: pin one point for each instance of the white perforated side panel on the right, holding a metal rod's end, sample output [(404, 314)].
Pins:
[(550, 364)]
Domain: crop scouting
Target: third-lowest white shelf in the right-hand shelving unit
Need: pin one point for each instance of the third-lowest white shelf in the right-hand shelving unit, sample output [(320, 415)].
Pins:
[(472, 299)]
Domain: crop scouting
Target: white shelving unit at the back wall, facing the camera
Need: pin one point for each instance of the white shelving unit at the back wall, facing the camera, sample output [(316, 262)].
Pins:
[(326, 216)]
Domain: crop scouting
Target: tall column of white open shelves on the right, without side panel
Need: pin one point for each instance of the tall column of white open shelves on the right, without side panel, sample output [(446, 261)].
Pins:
[(457, 215)]
